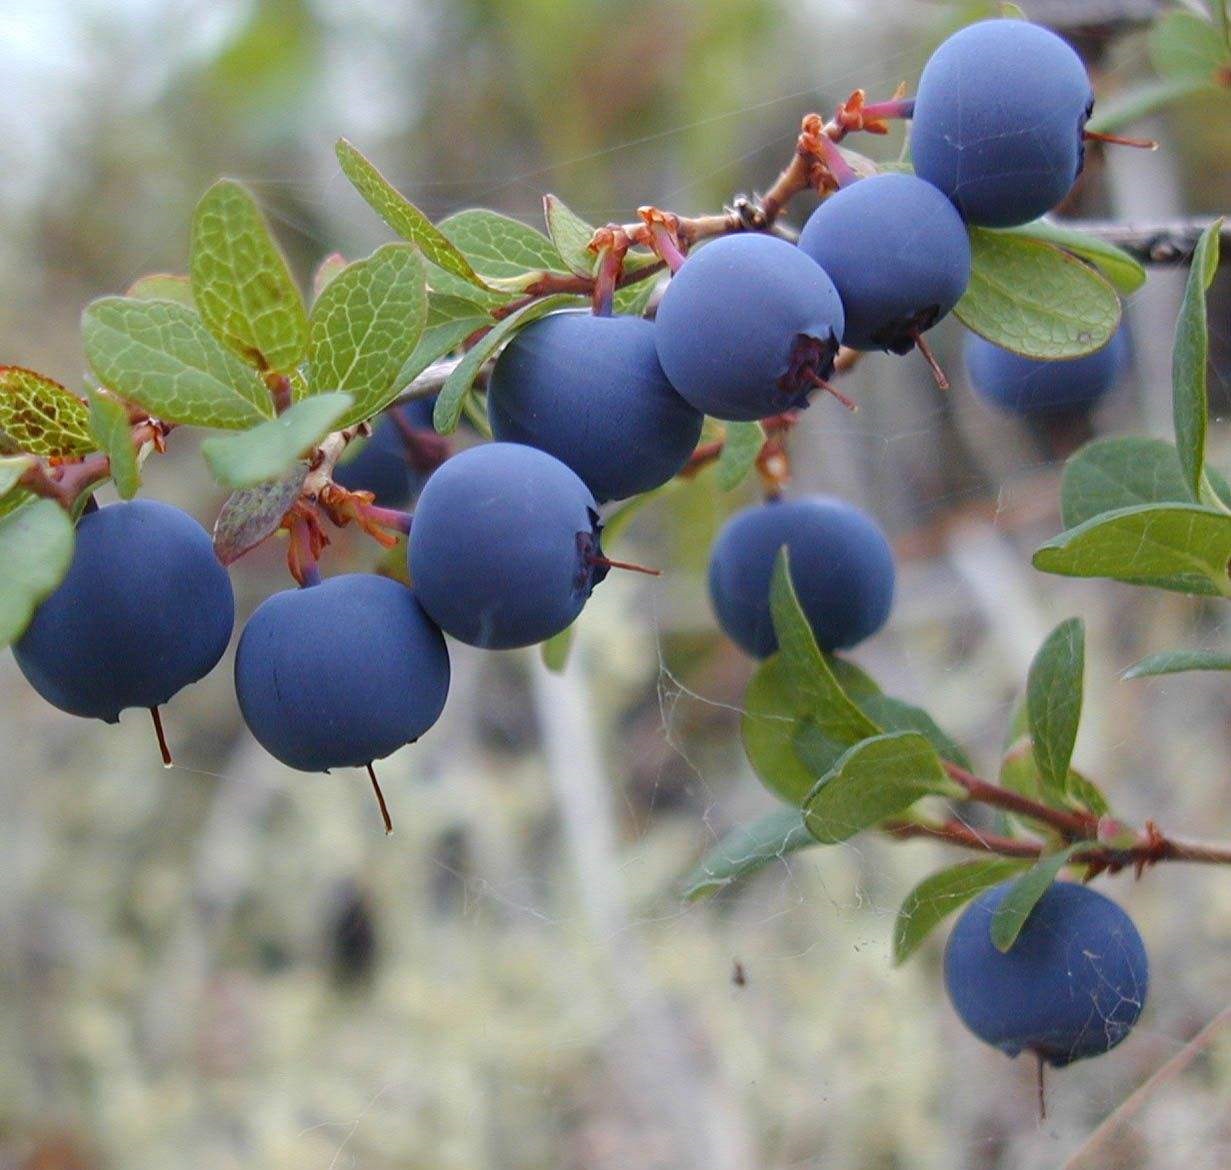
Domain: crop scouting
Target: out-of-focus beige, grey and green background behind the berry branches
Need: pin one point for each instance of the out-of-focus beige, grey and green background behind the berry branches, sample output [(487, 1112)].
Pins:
[(228, 965)]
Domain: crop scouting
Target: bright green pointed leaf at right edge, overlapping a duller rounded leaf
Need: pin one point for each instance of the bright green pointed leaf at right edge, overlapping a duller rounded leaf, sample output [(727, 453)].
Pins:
[(1185, 549)]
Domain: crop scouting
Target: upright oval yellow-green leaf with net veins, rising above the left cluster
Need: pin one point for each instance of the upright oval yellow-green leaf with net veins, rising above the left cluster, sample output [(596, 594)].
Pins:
[(242, 285)]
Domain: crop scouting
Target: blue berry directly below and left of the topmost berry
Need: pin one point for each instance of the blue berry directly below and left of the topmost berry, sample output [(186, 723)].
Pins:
[(898, 254)]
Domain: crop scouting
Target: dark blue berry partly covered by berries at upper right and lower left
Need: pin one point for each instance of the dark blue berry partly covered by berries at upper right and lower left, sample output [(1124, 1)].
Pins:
[(590, 391)]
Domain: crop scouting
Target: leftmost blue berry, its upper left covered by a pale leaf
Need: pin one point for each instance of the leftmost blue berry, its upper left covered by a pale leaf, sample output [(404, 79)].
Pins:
[(146, 609)]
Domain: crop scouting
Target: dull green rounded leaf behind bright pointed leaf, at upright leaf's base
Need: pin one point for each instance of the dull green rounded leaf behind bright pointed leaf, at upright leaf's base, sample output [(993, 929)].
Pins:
[(1123, 472)]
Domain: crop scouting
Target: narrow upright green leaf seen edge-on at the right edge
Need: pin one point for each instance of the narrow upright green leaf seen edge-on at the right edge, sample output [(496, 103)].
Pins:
[(1189, 365)]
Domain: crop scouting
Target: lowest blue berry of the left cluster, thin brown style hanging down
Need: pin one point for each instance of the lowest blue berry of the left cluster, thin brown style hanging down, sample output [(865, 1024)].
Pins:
[(340, 674)]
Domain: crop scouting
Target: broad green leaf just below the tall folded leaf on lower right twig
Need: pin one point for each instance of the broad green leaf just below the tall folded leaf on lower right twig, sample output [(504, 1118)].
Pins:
[(875, 780)]
